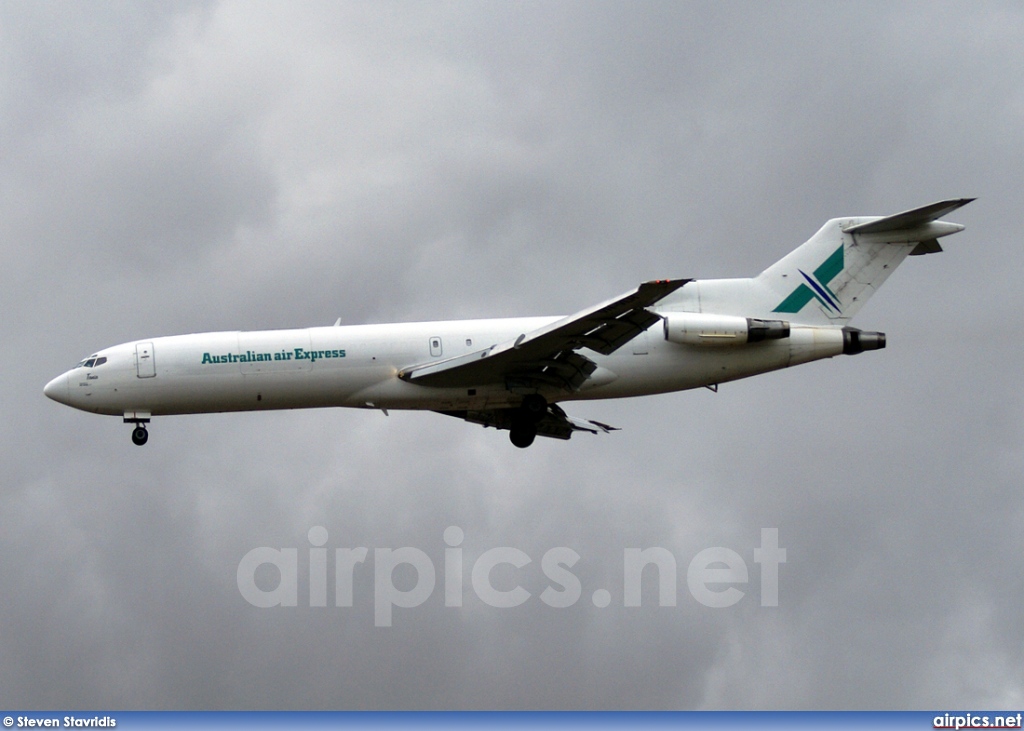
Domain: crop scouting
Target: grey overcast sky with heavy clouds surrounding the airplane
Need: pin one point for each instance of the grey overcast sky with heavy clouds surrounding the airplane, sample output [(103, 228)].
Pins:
[(169, 168)]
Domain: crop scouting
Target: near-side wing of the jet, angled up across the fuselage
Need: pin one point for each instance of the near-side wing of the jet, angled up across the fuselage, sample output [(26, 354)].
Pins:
[(548, 357)]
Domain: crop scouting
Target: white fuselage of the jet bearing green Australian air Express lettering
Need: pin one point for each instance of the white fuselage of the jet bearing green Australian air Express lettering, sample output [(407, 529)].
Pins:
[(359, 367)]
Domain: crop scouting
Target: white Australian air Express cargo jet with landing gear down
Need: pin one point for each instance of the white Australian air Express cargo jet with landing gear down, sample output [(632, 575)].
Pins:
[(513, 374)]
